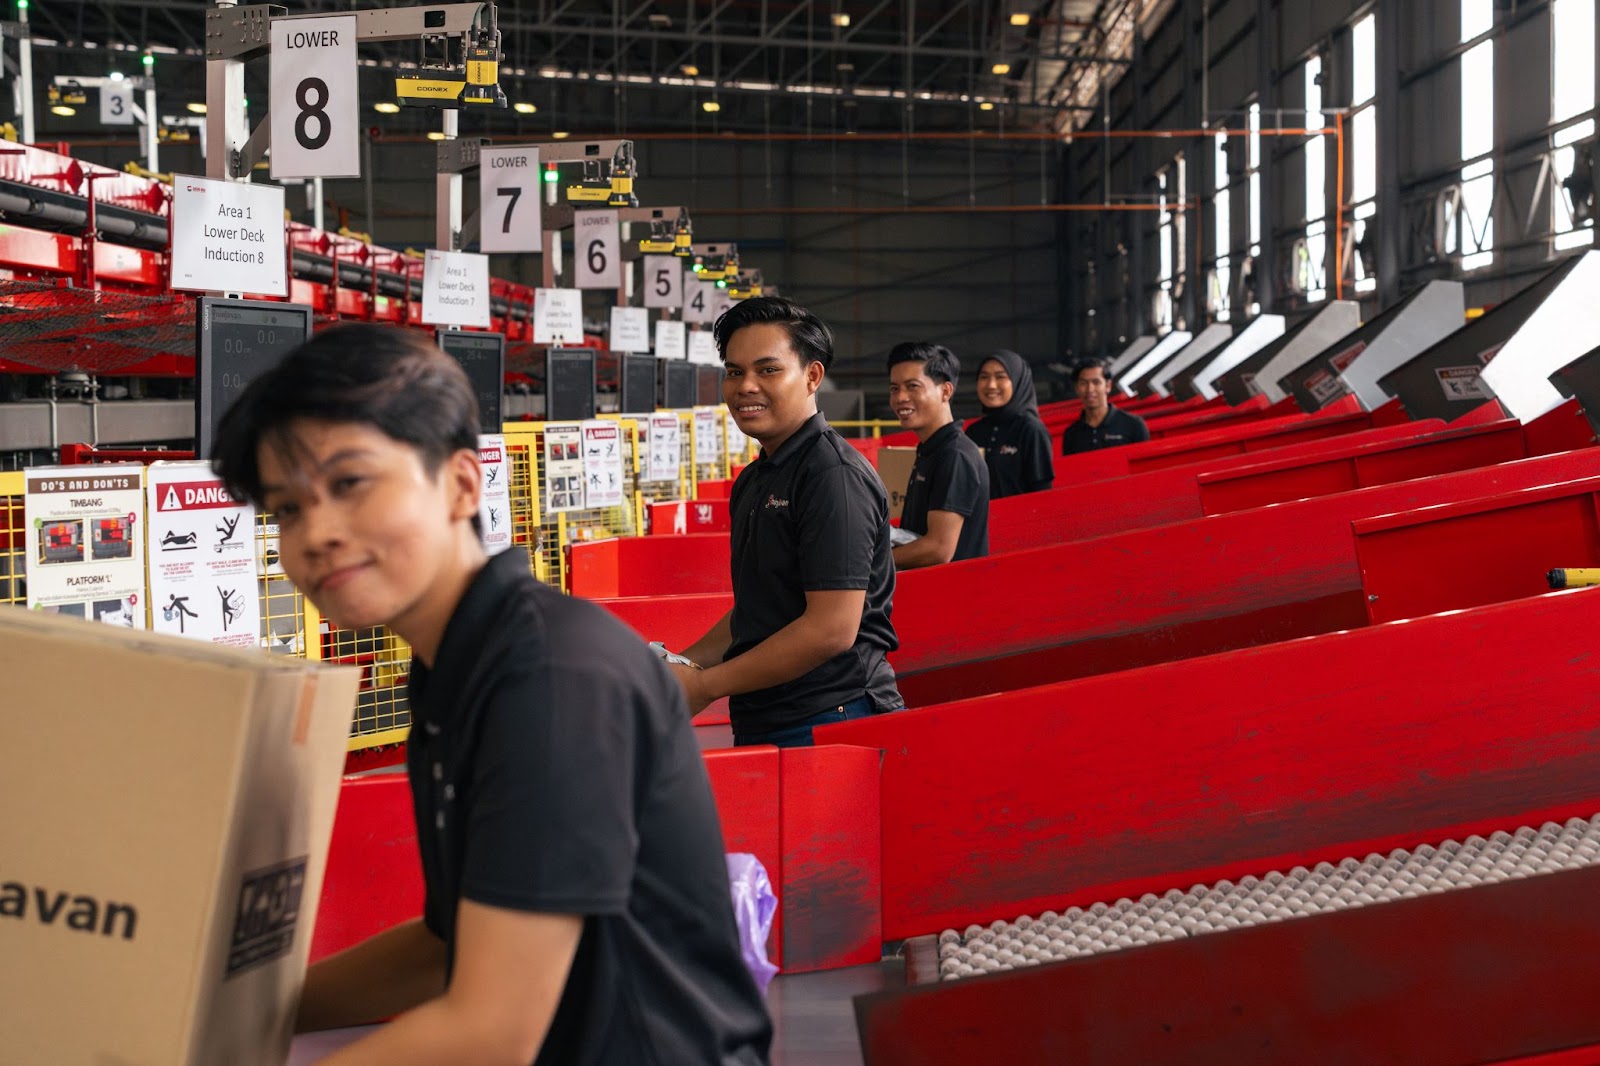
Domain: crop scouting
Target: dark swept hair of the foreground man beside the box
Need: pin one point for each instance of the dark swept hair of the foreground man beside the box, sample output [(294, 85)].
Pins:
[(393, 380)]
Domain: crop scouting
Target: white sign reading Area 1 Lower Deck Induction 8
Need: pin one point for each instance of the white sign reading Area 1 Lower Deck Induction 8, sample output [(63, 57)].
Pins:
[(228, 238)]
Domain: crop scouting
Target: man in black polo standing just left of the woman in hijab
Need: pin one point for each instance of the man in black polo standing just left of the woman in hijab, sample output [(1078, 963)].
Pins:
[(948, 494)]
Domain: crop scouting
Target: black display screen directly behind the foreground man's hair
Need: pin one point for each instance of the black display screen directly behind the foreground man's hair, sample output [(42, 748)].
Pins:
[(236, 343)]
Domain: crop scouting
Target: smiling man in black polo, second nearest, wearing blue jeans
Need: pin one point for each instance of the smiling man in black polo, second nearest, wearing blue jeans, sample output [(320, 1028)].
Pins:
[(809, 638)]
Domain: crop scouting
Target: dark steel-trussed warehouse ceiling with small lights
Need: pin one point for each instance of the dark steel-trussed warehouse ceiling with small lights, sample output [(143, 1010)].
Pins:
[(594, 66)]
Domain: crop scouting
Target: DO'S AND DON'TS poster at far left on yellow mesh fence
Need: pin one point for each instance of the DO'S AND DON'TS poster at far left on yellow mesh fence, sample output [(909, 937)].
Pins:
[(84, 542)]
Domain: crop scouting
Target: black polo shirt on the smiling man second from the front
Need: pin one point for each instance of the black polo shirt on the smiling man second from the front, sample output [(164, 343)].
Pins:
[(812, 518)]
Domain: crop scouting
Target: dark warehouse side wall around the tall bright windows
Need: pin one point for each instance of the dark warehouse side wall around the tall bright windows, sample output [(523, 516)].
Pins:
[(1254, 54)]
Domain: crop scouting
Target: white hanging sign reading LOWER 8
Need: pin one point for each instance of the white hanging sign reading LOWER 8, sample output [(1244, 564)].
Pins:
[(314, 98)]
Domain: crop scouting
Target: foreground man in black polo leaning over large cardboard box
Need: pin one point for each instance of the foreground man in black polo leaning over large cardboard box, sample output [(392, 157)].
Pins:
[(577, 894)]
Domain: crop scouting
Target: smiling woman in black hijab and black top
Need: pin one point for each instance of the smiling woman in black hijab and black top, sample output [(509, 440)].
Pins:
[(1015, 441)]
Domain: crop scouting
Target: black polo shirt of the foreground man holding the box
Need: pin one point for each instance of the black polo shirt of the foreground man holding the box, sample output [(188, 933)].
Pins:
[(554, 769)]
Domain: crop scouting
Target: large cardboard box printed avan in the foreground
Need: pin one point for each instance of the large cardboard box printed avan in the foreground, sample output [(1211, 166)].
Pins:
[(166, 832)]
